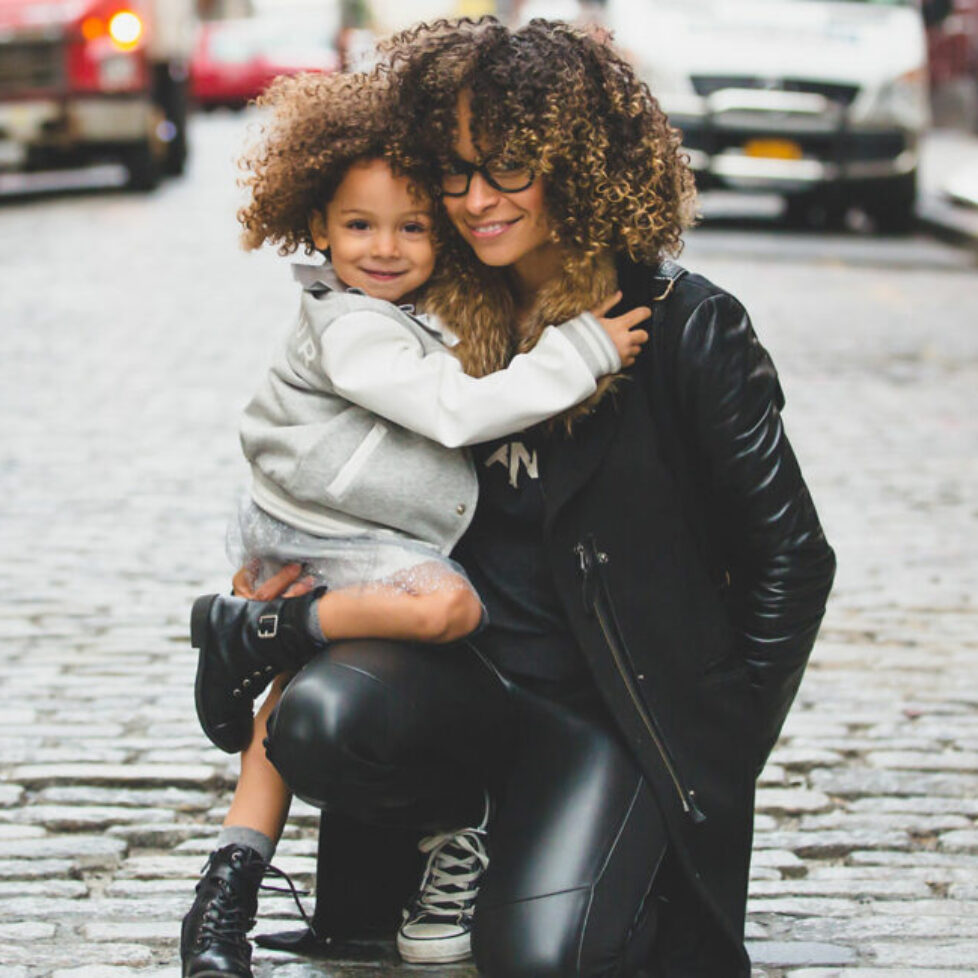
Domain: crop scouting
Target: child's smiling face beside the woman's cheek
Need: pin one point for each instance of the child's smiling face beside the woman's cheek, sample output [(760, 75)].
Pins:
[(378, 232)]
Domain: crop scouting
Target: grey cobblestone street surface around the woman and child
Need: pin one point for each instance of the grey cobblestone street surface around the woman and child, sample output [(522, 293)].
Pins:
[(133, 332)]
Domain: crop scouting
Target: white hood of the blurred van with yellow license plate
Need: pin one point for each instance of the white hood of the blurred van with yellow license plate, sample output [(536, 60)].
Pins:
[(831, 40)]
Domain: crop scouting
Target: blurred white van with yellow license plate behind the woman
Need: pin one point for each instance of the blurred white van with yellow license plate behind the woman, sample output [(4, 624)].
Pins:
[(823, 101)]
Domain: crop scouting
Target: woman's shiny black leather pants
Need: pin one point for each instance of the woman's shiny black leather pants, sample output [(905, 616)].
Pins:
[(409, 734)]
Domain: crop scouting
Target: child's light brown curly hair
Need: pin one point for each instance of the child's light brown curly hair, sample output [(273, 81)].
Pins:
[(319, 126)]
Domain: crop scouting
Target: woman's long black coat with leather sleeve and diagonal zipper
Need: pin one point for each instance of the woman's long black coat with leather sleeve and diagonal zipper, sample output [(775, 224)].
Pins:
[(693, 568)]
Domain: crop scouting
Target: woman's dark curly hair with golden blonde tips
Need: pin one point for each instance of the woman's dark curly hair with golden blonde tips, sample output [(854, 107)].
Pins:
[(566, 102)]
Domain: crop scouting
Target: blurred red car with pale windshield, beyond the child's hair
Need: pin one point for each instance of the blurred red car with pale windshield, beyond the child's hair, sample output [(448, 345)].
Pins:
[(236, 60)]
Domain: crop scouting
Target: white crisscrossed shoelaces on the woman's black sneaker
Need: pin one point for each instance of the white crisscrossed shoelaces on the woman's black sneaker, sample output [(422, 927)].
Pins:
[(456, 862)]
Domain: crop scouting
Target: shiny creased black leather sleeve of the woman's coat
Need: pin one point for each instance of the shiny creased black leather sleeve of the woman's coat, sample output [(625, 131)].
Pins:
[(778, 563)]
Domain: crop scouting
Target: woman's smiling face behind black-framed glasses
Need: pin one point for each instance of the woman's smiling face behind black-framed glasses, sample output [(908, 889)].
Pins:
[(503, 229)]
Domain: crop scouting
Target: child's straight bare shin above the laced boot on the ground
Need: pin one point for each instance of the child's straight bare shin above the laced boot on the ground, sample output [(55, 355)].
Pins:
[(261, 799)]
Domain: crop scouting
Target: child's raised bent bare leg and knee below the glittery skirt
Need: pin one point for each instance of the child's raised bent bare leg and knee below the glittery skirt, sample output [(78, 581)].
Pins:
[(445, 614)]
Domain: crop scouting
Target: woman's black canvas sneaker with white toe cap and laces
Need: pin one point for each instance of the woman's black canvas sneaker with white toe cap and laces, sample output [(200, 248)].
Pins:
[(437, 923)]
